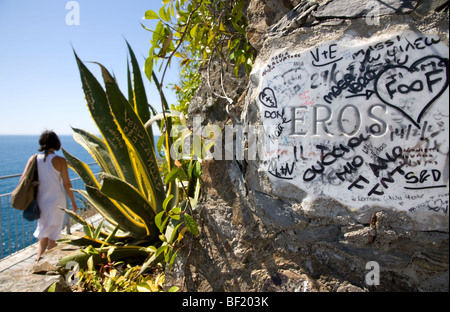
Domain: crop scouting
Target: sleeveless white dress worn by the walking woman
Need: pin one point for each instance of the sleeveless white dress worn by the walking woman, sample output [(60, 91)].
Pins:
[(51, 196)]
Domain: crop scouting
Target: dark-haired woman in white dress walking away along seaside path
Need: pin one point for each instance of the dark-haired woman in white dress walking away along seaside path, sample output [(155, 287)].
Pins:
[(54, 184)]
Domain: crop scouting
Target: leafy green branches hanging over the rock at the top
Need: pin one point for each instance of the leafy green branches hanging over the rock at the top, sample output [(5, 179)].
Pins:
[(196, 32)]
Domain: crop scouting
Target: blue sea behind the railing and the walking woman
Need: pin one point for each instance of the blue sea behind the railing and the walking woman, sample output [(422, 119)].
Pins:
[(15, 150)]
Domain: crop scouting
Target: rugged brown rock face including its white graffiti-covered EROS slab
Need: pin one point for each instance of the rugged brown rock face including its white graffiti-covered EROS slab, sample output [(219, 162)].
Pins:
[(349, 191)]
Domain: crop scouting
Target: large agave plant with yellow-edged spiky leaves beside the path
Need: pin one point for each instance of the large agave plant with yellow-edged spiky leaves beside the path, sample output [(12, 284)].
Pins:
[(139, 209)]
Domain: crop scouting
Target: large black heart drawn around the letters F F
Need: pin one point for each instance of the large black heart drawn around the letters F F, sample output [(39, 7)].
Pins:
[(412, 90)]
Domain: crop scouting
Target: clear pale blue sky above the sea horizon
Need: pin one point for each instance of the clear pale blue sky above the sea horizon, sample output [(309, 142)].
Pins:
[(40, 86)]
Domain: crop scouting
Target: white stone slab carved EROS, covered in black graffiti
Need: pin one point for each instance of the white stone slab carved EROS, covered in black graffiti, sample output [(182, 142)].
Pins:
[(363, 122)]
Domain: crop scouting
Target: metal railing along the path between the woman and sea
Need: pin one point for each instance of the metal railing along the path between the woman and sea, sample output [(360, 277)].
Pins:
[(16, 233)]
